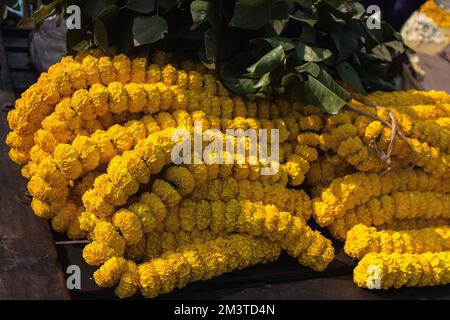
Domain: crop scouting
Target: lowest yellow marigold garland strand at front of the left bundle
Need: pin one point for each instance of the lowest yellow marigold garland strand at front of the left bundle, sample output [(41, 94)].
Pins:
[(189, 263)]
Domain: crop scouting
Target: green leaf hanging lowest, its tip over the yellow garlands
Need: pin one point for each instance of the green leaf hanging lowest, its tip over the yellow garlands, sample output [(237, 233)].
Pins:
[(322, 96)]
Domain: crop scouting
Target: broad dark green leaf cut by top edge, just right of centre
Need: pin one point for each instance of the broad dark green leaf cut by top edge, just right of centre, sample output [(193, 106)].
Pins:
[(251, 14)]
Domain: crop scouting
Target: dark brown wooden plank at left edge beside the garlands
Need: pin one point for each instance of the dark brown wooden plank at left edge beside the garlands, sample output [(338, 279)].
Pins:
[(29, 267)]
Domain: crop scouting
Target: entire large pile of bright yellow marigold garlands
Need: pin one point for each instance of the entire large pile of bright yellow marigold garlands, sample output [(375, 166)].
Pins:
[(94, 137)]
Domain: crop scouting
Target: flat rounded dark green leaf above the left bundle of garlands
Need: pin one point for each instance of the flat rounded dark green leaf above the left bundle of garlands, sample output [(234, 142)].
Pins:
[(148, 29)]
